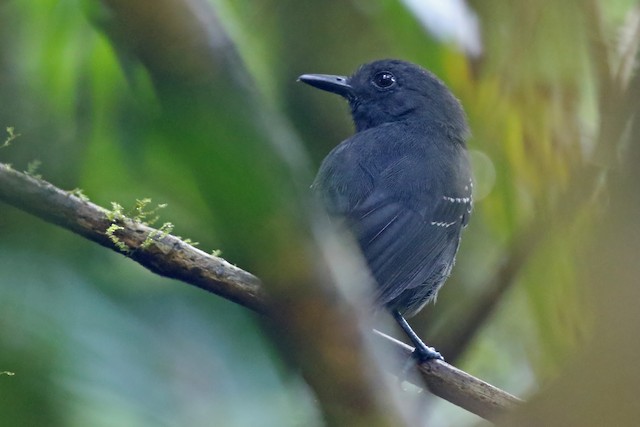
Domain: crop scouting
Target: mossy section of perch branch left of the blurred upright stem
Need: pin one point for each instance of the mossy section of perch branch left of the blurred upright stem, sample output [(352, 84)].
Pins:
[(167, 256)]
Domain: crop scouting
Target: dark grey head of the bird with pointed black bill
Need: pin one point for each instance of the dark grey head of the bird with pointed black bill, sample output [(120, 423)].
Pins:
[(392, 90)]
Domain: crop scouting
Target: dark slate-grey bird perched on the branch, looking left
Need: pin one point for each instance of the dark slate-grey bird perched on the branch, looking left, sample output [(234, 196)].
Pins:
[(401, 184)]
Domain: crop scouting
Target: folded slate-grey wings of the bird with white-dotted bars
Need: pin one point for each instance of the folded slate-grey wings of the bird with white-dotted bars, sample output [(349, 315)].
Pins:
[(408, 227)]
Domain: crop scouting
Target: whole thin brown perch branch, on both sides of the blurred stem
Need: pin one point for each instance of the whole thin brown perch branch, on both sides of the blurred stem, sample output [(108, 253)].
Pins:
[(171, 257)]
